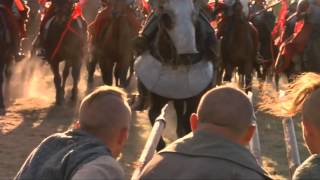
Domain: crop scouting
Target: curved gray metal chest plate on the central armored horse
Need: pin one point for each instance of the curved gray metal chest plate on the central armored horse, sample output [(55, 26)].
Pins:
[(179, 82)]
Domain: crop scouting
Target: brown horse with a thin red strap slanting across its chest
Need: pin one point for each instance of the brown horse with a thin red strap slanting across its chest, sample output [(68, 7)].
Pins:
[(65, 43)]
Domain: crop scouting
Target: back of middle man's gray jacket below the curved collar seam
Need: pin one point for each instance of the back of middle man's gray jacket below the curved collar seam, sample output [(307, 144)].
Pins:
[(179, 166)]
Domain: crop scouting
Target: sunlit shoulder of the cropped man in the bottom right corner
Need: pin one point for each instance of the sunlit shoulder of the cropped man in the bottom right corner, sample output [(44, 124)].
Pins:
[(309, 169)]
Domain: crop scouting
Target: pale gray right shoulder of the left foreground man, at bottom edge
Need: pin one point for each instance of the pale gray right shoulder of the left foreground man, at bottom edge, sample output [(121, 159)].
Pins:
[(104, 167)]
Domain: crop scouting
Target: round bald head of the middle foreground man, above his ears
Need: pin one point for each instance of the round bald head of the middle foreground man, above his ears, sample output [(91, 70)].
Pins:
[(226, 107)]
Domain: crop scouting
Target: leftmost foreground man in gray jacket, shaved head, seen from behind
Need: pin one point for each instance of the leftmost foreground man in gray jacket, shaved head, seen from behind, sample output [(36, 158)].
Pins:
[(88, 151)]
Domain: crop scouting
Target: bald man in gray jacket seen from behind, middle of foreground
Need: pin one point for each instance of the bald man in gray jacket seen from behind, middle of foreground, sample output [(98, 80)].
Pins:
[(215, 149)]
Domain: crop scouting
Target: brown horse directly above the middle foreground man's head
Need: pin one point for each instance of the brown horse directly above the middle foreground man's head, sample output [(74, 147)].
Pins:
[(239, 45)]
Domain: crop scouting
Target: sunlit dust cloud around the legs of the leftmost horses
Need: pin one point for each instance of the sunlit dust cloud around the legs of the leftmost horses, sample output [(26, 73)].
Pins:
[(32, 78)]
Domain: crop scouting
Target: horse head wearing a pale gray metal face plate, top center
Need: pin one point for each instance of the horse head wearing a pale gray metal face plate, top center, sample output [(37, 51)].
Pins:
[(177, 20)]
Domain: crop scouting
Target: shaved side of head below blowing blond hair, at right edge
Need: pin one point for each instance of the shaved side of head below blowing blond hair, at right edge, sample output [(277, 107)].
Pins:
[(311, 107)]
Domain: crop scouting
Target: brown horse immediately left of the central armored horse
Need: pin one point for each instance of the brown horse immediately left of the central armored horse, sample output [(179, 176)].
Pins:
[(115, 50)]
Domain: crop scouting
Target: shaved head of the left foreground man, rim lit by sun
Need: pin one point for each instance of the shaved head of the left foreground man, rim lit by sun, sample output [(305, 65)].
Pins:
[(104, 111)]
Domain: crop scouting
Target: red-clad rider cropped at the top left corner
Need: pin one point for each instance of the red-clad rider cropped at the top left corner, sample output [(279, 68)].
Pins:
[(17, 13)]
